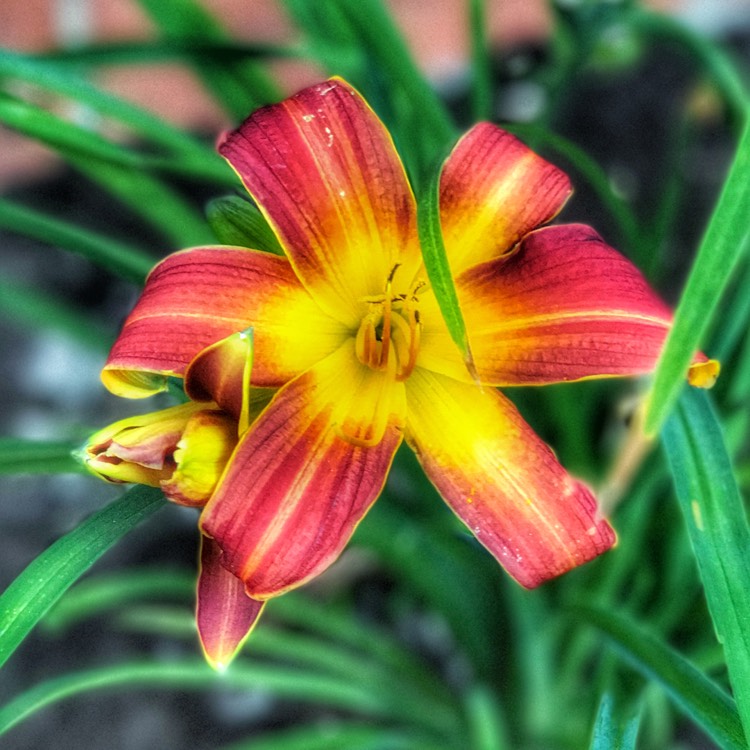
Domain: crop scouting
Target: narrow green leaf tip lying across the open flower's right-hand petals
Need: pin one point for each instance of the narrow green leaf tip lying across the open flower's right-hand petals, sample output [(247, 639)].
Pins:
[(438, 268)]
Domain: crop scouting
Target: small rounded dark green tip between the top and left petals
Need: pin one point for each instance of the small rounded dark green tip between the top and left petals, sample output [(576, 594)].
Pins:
[(236, 221)]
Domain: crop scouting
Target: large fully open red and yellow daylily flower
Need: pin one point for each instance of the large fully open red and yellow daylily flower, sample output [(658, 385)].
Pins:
[(349, 331)]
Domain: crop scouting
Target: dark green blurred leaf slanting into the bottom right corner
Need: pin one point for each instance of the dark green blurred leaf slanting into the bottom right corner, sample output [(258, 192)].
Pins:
[(700, 699)]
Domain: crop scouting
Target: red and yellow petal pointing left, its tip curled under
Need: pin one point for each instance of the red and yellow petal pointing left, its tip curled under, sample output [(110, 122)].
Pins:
[(197, 297)]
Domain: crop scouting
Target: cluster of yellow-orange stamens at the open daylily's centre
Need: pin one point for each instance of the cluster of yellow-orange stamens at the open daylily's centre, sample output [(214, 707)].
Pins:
[(388, 336)]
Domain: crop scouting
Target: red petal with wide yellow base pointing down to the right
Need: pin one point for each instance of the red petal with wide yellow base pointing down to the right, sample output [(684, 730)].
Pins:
[(501, 480)]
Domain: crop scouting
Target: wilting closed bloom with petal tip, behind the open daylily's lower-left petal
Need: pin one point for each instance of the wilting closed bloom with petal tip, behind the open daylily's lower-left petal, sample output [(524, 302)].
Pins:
[(183, 450)]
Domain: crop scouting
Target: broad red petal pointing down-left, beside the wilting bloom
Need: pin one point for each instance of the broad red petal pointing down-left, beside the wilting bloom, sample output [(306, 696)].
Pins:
[(306, 473)]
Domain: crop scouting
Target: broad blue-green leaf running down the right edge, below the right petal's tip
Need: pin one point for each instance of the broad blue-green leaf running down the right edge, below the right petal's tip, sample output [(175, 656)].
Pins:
[(718, 530)]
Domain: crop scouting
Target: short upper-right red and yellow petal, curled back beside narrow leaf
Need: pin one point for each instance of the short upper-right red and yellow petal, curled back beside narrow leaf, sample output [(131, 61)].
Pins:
[(493, 190)]
